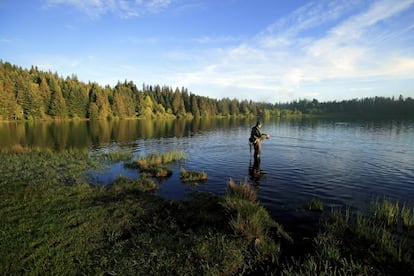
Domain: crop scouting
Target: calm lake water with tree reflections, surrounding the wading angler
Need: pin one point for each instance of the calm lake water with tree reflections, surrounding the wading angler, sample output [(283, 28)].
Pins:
[(342, 163)]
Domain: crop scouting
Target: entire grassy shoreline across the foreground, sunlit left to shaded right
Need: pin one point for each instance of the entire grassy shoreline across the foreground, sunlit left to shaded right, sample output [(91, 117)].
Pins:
[(54, 222)]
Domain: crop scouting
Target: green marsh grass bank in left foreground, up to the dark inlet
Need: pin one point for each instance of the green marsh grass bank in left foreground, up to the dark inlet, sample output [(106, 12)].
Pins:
[(55, 223)]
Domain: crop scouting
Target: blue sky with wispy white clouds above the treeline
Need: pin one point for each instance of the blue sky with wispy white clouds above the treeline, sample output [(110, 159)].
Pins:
[(263, 50)]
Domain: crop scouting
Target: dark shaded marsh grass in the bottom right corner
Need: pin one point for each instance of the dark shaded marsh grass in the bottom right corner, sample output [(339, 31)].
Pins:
[(355, 243)]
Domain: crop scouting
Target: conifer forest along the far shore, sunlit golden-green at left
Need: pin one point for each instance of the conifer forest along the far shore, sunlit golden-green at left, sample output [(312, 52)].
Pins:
[(32, 94)]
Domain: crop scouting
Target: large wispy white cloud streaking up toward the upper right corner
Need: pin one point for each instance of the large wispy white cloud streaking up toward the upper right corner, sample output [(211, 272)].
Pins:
[(288, 58)]
